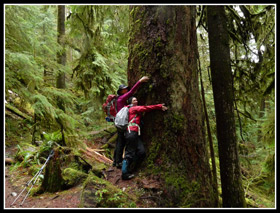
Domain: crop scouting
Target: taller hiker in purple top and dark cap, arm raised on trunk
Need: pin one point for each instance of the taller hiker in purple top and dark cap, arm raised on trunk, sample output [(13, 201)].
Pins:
[(124, 92)]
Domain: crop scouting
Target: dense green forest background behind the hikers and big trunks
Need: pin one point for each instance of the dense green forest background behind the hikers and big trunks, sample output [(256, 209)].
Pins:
[(41, 114)]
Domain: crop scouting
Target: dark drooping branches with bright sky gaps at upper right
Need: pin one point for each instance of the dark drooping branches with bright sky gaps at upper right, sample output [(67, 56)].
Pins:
[(254, 54)]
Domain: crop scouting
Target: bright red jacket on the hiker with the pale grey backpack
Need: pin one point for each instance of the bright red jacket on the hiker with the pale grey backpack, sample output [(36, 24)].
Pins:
[(139, 110)]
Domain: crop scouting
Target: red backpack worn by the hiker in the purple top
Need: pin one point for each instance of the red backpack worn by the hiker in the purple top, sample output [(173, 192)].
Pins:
[(110, 107)]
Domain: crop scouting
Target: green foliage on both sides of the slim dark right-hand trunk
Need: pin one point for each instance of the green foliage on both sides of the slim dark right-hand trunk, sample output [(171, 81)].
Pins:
[(252, 44)]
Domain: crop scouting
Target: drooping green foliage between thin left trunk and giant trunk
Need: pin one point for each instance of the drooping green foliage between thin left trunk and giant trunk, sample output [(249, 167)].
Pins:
[(100, 65)]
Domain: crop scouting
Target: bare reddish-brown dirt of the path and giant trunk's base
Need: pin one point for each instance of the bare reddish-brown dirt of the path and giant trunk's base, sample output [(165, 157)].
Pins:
[(70, 198)]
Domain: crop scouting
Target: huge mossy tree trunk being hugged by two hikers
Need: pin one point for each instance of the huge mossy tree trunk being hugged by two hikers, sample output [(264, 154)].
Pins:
[(162, 45)]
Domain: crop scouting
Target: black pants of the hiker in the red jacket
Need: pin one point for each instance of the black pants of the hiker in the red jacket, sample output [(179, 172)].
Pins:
[(134, 151)]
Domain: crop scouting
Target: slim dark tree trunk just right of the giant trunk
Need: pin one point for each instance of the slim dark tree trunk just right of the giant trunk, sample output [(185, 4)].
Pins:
[(232, 190)]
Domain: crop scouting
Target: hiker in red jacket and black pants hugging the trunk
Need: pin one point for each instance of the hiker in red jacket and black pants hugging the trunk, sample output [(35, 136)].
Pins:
[(134, 150)]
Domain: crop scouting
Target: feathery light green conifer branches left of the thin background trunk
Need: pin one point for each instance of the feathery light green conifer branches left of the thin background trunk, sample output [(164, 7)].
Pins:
[(31, 47)]
